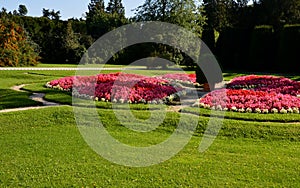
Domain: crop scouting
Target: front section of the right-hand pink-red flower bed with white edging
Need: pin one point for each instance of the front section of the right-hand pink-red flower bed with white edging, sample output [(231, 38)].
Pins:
[(250, 101)]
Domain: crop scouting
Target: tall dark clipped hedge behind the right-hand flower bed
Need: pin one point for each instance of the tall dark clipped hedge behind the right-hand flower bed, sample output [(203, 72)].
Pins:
[(261, 49)]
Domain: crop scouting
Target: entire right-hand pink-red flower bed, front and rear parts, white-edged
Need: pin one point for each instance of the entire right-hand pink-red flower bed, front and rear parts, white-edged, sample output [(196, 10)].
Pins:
[(259, 94)]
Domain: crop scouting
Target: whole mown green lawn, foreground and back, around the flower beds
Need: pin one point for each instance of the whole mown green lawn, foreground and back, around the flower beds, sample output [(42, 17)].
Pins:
[(44, 148)]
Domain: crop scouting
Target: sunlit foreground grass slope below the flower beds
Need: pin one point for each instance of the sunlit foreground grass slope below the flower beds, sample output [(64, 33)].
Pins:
[(48, 150)]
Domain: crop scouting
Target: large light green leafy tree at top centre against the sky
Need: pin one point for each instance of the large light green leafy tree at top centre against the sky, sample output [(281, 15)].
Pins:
[(185, 13)]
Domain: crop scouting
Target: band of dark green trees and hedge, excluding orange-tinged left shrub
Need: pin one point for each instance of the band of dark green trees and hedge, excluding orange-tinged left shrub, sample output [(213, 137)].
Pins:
[(232, 29)]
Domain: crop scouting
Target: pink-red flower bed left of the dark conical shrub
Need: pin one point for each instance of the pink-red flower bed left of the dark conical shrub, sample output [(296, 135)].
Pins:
[(120, 87)]
